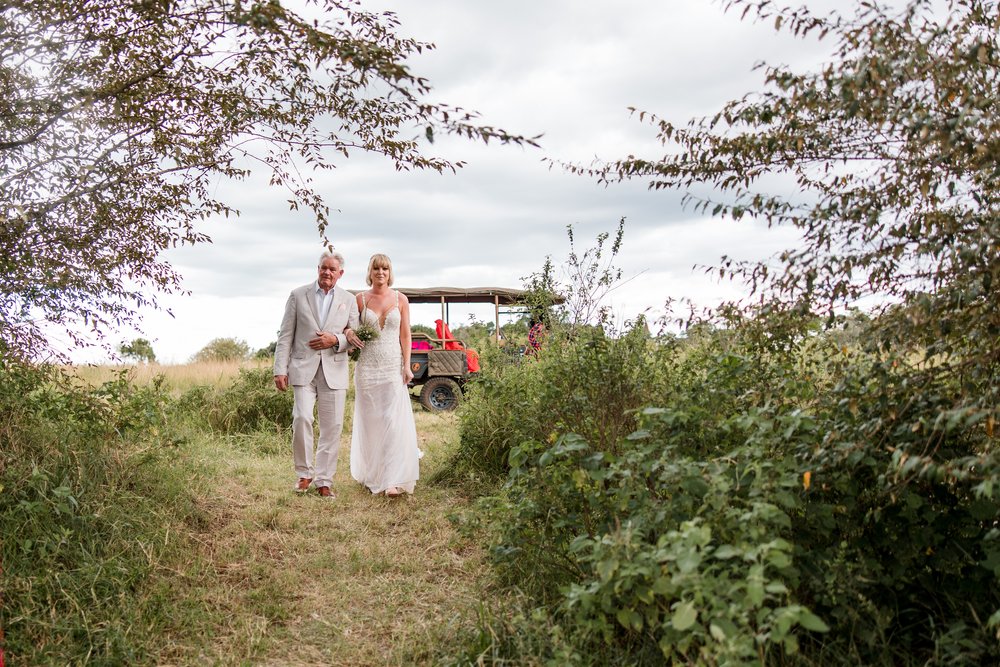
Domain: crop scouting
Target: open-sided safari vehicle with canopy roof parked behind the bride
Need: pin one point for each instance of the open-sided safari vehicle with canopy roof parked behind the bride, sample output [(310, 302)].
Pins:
[(441, 365)]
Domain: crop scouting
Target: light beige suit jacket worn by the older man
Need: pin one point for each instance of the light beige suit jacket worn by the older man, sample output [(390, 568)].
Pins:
[(293, 356)]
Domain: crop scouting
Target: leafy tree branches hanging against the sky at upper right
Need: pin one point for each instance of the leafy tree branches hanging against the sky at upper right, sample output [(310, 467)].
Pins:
[(894, 148)]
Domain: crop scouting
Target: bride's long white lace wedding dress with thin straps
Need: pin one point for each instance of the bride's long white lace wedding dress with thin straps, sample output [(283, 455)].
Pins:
[(384, 452)]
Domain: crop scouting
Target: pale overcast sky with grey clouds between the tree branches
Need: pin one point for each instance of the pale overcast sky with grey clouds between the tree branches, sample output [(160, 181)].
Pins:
[(565, 69)]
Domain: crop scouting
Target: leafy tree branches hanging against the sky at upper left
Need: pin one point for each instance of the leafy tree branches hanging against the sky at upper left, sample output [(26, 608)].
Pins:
[(119, 118)]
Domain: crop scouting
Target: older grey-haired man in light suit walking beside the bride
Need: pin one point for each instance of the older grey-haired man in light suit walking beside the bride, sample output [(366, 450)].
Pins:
[(311, 355)]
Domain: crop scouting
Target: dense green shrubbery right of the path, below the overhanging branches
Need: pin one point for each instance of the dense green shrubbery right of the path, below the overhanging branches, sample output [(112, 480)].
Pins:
[(764, 508)]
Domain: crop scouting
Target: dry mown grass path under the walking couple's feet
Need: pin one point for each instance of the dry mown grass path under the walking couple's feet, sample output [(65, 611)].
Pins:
[(285, 579)]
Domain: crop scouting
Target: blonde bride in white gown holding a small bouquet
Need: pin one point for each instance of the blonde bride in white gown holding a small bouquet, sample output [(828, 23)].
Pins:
[(384, 453)]
